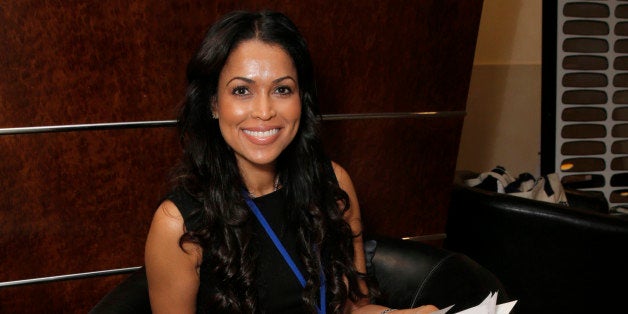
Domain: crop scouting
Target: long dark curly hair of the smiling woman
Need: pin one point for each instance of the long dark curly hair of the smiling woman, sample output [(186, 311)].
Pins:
[(210, 174)]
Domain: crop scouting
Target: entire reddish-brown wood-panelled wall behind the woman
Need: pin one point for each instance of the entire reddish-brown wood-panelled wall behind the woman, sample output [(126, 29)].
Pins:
[(81, 201)]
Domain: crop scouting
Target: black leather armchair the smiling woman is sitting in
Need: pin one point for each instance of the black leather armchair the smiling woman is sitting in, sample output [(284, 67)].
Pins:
[(408, 274)]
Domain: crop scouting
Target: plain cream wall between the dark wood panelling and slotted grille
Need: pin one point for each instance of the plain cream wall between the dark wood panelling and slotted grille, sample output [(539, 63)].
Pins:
[(503, 122)]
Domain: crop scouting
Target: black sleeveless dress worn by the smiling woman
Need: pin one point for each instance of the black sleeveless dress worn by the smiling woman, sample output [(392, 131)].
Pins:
[(279, 291)]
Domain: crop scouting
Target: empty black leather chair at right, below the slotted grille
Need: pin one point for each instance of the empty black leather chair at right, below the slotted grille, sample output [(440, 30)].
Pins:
[(551, 258)]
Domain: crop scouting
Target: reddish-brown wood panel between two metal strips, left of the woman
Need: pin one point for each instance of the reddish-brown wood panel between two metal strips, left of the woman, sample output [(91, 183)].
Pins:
[(80, 201)]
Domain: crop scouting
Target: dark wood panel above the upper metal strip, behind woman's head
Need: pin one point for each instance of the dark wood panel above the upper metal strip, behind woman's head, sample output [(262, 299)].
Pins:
[(87, 62)]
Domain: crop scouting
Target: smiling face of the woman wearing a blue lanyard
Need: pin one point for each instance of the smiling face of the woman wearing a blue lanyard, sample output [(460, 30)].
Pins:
[(258, 104)]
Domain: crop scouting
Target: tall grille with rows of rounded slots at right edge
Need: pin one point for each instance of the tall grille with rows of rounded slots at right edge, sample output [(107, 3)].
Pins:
[(590, 105)]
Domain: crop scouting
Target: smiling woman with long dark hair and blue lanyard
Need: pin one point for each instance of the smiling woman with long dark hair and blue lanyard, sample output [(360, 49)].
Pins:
[(253, 170)]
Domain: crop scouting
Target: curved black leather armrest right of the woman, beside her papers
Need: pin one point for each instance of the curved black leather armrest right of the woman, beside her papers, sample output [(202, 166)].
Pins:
[(411, 273)]
